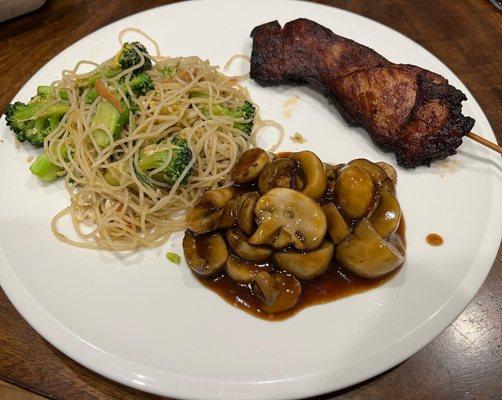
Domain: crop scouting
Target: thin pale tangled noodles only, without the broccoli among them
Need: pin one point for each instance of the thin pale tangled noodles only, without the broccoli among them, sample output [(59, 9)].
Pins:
[(116, 206)]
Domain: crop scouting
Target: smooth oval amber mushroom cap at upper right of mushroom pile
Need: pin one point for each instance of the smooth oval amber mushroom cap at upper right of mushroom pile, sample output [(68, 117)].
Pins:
[(355, 191)]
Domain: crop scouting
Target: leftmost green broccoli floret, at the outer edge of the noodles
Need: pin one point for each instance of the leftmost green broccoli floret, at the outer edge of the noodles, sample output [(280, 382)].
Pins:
[(32, 122)]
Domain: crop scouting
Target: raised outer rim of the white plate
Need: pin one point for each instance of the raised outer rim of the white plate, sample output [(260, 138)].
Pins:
[(112, 366)]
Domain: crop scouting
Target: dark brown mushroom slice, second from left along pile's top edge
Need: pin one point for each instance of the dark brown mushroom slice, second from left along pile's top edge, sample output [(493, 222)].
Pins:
[(282, 172)]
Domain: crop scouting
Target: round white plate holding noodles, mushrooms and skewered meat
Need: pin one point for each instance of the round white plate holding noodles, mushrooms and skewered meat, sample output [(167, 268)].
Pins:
[(149, 324)]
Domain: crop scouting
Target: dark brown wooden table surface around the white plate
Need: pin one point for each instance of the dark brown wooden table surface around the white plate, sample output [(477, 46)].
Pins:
[(464, 362)]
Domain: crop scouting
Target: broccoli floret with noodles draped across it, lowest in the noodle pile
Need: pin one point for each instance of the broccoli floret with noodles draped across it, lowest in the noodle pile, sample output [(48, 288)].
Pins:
[(182, 155)]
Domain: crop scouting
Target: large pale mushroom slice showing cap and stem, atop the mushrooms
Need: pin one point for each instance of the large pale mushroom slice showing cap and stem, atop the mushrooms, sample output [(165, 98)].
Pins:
[(285, 217)]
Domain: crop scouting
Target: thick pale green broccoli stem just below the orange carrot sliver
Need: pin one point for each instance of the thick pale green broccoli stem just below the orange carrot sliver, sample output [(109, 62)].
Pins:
[(108, 118)]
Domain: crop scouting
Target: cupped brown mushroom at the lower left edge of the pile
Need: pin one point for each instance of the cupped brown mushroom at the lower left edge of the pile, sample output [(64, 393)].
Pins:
[(205, 254)]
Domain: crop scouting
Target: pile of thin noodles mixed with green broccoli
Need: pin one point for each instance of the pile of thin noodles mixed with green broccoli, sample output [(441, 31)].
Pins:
[(137, 140)]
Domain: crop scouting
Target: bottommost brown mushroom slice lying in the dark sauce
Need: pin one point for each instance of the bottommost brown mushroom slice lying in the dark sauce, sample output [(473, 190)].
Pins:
[(277, 292)]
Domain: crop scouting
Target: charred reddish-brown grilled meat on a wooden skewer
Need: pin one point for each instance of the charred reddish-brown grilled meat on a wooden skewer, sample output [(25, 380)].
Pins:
[(406, 109)]
